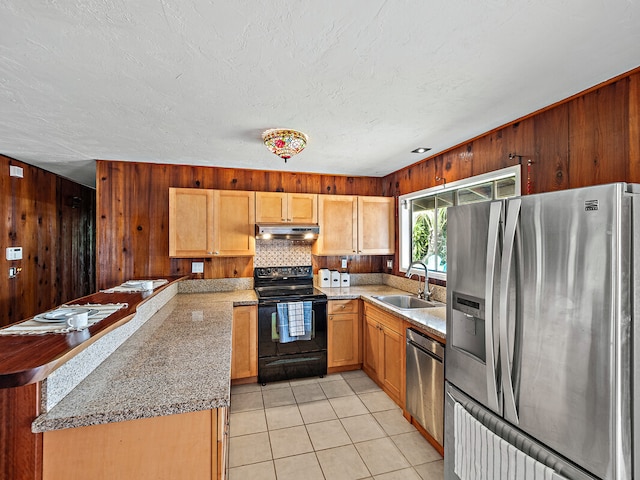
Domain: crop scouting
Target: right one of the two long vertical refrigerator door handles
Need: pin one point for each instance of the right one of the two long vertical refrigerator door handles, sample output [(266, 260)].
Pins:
[(513, 213)]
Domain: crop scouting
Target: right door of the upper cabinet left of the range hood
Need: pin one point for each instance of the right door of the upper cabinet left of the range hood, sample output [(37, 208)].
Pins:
[(234, 228)]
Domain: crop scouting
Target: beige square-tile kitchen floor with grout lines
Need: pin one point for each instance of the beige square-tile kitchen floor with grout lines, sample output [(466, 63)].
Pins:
[(341, 427)]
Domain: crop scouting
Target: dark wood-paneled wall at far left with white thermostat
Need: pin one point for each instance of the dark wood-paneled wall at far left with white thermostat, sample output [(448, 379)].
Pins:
[(53, 220)]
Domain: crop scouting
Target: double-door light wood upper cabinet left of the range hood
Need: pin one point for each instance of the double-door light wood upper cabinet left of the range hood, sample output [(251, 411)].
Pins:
[(207, 223)]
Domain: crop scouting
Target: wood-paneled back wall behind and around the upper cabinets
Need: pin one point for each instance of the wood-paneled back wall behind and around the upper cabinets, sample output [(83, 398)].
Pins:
[(133, 212)]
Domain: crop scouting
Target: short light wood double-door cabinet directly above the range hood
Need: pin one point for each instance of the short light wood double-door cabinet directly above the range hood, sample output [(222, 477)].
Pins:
[(278, 207)]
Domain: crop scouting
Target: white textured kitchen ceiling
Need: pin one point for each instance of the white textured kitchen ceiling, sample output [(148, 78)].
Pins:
[(197, 81)]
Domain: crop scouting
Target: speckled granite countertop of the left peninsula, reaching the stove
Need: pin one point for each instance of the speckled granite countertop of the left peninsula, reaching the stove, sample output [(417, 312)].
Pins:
[(179, 361)]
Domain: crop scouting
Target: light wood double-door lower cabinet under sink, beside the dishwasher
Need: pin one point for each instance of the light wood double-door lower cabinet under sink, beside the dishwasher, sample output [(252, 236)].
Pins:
[(384, 351)]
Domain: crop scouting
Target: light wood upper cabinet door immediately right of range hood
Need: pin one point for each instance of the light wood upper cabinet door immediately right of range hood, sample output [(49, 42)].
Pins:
[(337, 217)]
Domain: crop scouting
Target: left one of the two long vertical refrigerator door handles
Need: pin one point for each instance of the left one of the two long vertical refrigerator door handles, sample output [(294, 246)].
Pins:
[(491, 335)]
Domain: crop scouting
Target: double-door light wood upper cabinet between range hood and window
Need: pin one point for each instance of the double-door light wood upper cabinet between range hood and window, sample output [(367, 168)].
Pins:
[(351, 225)]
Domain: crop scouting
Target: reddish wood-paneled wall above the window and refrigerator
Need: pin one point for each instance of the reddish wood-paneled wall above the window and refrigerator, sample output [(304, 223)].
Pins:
[(591, 138)]
